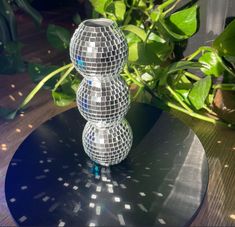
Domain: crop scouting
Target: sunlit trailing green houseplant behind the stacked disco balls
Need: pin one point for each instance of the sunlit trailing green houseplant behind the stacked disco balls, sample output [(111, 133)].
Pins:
[(154, 73)]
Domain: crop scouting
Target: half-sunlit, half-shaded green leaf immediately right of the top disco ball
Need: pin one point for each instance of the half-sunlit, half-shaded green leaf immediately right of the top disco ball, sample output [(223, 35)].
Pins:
[(141, 53)]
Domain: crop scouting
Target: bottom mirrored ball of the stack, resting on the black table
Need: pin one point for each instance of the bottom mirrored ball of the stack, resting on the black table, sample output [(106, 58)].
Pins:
[(107, 145)]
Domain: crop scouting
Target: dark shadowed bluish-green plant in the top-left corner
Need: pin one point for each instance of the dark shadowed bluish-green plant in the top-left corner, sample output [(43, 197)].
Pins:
[(10, 48)]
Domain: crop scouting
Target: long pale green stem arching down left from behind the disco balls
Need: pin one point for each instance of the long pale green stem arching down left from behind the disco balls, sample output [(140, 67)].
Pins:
[(40, 84)]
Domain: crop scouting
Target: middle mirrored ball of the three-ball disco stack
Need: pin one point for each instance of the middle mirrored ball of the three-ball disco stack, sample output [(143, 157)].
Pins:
[(103, 102)]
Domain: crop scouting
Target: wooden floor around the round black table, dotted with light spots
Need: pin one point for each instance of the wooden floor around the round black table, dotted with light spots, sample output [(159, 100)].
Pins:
[(218, 208)]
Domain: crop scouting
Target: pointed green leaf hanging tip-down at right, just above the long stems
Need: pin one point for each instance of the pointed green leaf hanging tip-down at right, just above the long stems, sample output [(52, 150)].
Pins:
[(199, 92)]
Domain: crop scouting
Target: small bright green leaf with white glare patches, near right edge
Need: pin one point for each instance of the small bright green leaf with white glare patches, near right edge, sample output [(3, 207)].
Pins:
[(212, 66)]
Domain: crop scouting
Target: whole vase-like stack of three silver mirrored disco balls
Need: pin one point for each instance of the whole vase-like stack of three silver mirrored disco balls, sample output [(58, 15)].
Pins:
[(98, 51)]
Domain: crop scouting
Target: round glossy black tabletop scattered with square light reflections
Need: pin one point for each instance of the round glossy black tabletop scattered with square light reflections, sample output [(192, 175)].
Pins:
[(52, 182)]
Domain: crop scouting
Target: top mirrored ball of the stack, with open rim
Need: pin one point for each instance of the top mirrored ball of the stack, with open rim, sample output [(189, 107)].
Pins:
[(98, 49)]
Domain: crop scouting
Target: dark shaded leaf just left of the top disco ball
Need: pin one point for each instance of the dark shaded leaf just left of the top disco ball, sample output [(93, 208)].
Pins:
[(58, 37)]
